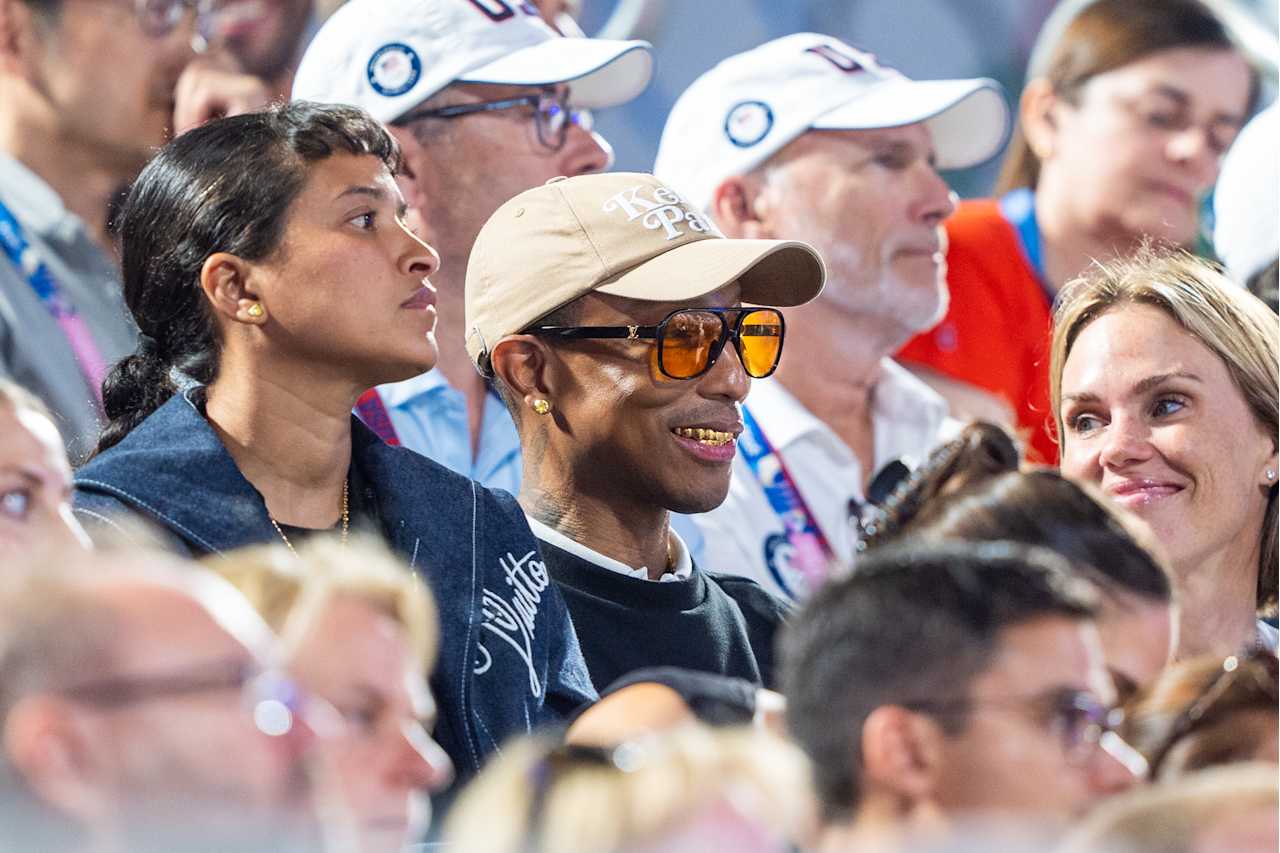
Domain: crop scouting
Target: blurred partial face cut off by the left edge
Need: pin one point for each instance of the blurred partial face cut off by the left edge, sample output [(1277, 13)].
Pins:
[(35, 485)]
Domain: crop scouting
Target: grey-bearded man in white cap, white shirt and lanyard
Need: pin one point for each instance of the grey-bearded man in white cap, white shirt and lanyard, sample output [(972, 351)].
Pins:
[(810, 139)]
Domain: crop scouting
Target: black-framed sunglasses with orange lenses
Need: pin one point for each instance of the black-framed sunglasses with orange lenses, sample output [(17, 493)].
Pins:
[(692, 340)]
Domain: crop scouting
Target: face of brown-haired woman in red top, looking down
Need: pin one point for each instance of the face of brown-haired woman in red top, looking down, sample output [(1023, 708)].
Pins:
[(1144, 144)]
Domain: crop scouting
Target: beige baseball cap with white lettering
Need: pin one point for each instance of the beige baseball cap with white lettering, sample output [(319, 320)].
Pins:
[(623, 234)]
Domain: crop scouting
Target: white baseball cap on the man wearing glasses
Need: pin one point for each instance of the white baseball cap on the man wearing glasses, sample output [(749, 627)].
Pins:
[(387, 57)]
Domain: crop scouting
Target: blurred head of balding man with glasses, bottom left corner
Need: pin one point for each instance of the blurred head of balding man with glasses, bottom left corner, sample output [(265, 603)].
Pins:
[(140, 713)]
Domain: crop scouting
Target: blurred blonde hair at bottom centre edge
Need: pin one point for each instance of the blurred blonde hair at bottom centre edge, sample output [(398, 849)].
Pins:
[(537, 797)]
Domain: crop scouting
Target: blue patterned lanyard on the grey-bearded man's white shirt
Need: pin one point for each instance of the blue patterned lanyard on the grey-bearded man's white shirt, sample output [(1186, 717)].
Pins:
[(811, 553)]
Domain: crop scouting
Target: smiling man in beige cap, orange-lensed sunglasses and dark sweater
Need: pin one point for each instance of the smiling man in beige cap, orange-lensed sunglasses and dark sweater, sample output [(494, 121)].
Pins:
[(610, 313)]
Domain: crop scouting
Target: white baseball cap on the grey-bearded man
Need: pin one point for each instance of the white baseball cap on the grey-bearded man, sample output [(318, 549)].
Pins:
[(743, 112)]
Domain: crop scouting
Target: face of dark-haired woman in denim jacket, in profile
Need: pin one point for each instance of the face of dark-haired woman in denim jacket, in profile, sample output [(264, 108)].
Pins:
[(349, 289)]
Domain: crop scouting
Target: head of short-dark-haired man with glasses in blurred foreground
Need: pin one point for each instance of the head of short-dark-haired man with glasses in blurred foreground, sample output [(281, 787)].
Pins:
[(950, 683)]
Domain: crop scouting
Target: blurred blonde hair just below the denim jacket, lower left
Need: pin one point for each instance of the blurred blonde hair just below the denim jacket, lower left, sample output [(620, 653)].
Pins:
[(290, 591)]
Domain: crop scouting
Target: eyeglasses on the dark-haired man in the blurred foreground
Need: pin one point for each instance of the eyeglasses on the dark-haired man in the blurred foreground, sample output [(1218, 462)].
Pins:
[(1078, 719)]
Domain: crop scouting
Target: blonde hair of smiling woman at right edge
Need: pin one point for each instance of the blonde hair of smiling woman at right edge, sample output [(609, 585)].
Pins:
[(1233, 323)]
